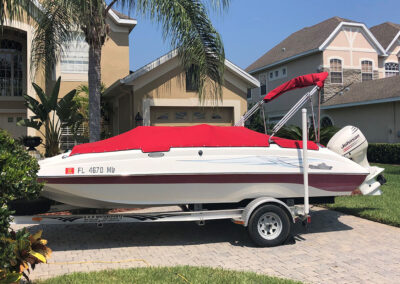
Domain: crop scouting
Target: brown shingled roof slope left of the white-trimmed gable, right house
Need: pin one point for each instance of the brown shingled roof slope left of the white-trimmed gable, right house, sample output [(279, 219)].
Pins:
[(306, 39)]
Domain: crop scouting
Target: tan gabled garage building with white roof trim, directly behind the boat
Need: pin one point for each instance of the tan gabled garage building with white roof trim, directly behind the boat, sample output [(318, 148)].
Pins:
[(158, 94)]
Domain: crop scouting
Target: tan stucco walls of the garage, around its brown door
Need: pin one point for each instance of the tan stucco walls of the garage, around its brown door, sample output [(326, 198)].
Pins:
[(169, 90)]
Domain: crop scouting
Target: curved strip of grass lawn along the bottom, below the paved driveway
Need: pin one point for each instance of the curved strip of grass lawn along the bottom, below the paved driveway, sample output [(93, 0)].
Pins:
[(179, 274)]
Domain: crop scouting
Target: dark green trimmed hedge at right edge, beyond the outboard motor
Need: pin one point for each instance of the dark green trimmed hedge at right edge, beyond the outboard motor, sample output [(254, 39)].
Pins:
[(384, 153)]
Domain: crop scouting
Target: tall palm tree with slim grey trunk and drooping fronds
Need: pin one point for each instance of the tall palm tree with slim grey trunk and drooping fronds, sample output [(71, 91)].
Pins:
[(184, 22)]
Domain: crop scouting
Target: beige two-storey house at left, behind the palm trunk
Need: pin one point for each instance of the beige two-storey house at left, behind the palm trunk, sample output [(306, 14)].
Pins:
[(16, 74)]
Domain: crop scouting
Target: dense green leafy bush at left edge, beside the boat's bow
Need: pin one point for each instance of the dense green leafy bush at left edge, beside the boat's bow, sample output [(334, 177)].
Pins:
[(18, 180)]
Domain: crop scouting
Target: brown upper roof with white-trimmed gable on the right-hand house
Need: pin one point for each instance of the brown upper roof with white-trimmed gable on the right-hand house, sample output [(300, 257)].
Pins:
[(307, 41)]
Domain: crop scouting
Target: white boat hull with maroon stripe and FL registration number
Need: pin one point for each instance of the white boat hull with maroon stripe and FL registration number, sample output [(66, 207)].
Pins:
[(194, 175)]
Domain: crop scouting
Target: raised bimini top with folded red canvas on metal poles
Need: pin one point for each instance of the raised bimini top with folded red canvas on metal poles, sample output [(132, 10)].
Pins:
[(315, 79)]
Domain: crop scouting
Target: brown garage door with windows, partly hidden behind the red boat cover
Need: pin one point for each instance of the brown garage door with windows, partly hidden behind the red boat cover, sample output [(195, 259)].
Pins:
[(184, 116)]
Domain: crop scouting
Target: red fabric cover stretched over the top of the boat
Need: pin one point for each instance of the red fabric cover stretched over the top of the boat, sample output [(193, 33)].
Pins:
[(162, 138)]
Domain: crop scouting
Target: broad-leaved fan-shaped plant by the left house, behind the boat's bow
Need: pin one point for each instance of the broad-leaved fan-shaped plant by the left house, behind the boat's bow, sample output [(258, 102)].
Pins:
[(53, 114)]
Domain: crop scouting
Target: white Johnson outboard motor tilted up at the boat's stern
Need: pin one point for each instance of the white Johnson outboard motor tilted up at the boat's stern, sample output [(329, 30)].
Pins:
[(352, 144)]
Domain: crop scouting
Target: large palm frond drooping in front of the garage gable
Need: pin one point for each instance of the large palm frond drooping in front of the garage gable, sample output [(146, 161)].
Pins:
[(187, 25)]
